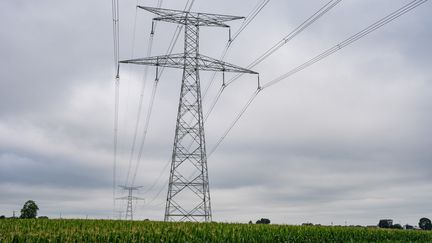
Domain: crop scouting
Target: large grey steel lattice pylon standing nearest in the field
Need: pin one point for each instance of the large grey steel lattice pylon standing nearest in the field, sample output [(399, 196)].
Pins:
[(188, 197)]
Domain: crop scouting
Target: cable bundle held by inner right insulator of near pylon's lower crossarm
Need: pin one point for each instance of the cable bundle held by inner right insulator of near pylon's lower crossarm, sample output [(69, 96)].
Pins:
[(313, 18)]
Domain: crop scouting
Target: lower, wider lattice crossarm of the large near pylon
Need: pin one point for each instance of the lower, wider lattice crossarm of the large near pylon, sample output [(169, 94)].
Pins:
[(204, 63)]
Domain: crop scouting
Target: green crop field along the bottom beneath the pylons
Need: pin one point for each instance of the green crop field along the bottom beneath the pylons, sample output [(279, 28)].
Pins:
[(45, 230)]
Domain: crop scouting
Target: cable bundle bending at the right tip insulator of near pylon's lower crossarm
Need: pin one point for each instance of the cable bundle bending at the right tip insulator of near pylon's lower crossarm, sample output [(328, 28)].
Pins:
[(394, 15)]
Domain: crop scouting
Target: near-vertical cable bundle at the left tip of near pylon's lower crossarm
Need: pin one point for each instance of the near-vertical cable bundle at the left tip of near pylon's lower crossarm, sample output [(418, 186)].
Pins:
[(115, 18)]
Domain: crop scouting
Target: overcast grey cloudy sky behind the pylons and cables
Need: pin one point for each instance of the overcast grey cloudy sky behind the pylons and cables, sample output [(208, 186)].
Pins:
[(346, 140)]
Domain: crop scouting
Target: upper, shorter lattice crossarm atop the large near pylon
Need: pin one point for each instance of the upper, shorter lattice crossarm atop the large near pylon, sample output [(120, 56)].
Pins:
[(191, 18)]
